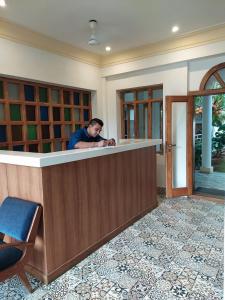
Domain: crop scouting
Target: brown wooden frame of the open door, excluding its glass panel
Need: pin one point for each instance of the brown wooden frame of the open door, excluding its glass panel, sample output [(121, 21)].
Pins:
[(183, 191)]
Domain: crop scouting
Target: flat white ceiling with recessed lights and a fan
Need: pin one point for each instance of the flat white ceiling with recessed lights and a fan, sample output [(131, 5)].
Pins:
[(122, 24)]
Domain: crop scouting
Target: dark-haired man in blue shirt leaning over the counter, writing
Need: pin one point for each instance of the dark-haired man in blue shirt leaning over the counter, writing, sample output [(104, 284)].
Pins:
[(89, 137)]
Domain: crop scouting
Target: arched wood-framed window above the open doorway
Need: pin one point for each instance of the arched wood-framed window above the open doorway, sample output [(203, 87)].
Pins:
[(214, 79)]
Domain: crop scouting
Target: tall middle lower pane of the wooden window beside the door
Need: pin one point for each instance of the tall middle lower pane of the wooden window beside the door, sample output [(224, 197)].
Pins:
[(142, 121)]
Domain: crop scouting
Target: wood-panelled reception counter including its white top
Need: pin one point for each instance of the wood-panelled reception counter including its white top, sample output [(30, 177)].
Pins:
[(88, 196)]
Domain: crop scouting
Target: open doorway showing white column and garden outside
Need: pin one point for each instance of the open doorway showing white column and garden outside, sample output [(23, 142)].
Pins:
[(209, 150)]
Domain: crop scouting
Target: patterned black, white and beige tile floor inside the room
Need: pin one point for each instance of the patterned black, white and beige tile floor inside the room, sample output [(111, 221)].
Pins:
[(174, 252)]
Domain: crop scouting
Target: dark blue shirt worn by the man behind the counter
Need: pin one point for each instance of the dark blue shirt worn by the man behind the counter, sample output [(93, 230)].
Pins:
[(81, 135)]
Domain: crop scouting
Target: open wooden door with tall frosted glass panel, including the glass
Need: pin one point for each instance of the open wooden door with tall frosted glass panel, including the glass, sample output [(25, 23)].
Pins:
[(179, 145)]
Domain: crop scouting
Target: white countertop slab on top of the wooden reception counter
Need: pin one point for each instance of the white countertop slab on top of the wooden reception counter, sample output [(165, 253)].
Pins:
[(54, 158)]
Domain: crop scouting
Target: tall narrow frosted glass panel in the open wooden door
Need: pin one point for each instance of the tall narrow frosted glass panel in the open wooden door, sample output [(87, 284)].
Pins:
[(179, 133)]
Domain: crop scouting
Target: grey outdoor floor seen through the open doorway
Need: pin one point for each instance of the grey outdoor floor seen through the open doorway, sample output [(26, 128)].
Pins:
[(214, 180)]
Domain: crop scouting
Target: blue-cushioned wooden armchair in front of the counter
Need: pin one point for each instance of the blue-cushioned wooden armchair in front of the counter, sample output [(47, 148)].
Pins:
[(19, 220)]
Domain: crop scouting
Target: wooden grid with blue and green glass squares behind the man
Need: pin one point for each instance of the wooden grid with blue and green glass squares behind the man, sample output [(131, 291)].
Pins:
[(39, 117)]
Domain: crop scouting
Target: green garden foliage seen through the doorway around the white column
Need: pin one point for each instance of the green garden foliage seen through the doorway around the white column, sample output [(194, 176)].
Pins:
[(218, 121)]
